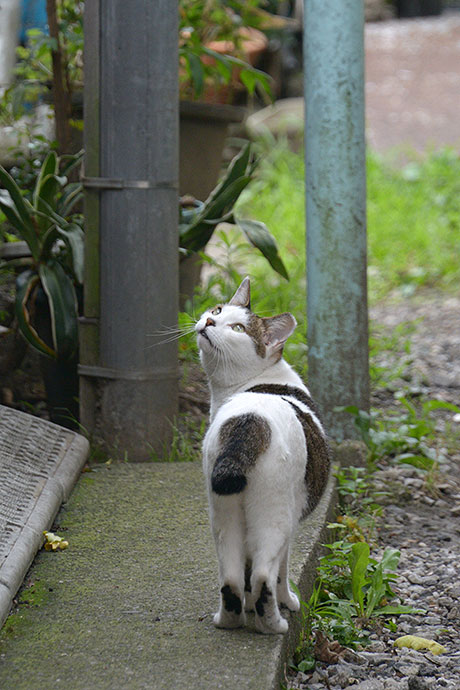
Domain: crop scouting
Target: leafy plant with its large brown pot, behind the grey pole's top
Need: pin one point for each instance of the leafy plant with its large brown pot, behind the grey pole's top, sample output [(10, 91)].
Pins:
[(219, 45)]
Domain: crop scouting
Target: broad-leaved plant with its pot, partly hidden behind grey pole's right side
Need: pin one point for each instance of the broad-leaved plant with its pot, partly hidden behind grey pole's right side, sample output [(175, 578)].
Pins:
[(198, 221)]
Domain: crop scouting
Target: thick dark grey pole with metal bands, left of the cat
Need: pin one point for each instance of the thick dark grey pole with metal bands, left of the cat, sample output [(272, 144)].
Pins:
[(129, 389)]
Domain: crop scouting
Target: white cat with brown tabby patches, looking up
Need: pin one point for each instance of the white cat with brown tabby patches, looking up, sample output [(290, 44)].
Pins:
[(265, 458)]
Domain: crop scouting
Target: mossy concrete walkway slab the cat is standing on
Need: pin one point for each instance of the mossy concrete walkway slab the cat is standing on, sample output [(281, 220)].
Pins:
[(129, 603)]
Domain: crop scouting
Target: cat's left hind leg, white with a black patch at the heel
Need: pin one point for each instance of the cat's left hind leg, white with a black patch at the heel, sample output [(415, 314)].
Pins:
[(228, 530)]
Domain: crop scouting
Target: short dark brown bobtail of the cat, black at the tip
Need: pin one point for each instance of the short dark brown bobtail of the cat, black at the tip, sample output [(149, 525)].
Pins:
[(243, 439)]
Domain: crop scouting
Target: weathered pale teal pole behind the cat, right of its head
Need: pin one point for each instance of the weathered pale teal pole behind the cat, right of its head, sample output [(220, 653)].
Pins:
[(336, 208)]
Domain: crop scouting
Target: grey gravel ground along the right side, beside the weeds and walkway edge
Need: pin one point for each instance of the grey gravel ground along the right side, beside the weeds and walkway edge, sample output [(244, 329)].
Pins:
[(421, 520)]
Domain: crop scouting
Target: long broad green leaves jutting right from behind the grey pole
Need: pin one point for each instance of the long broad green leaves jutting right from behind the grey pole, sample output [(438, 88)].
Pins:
[(196, 230)]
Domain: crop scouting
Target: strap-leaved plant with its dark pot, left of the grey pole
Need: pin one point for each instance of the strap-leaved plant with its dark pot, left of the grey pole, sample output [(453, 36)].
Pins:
[(49, 280)]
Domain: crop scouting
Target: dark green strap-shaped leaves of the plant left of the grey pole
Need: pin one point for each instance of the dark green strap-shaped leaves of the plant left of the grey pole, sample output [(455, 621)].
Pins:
[(54, 235)]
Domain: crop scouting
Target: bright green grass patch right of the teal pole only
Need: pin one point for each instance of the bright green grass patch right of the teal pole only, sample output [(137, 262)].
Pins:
[(414, 222)]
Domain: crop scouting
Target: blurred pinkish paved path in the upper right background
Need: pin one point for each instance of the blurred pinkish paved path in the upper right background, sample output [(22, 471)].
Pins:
[(413, 82)]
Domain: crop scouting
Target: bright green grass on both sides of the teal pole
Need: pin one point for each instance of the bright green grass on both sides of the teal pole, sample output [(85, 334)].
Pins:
[(413, 224)]
